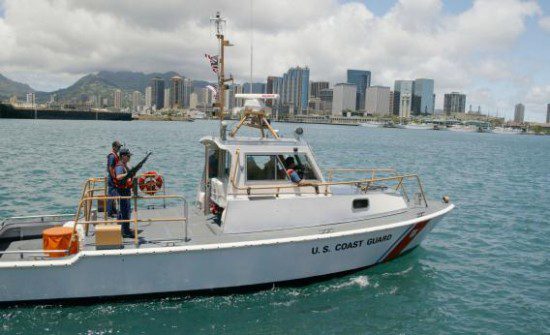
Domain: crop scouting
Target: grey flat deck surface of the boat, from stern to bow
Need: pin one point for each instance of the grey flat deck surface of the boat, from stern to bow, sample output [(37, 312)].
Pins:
[(203, 230)]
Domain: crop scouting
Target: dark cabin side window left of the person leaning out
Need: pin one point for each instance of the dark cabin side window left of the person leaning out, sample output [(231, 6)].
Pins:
[(264, 167)]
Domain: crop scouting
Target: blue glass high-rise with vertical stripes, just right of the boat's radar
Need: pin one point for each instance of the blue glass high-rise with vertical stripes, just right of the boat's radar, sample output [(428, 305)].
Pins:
[(296, 90)]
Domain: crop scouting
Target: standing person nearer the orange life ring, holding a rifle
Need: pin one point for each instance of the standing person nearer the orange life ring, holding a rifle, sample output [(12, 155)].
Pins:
[(124, 188)]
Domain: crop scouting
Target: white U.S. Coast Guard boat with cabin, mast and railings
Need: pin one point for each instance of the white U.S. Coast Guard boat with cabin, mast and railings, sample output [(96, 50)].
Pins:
[(251, 224)]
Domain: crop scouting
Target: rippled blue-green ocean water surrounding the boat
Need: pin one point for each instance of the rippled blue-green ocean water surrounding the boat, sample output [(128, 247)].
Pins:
[(484, 269)]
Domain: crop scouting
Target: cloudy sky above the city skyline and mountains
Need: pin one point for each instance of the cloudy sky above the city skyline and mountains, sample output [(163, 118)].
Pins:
[(494, 51)]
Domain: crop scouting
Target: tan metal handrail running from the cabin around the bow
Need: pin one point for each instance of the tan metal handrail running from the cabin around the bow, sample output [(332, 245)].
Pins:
[(323, 187)]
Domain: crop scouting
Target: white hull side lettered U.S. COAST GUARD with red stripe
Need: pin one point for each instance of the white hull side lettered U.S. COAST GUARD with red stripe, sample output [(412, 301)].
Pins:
[(95, 274)]
